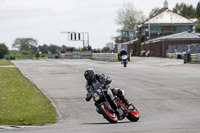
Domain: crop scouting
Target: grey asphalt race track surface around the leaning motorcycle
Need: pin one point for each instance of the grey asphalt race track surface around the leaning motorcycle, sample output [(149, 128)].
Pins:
[(165, 91)]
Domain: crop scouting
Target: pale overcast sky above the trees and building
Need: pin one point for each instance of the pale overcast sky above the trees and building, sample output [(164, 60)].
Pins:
[(44, 20)]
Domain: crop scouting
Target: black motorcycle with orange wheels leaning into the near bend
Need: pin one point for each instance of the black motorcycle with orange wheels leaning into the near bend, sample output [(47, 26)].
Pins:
[(103, 107)]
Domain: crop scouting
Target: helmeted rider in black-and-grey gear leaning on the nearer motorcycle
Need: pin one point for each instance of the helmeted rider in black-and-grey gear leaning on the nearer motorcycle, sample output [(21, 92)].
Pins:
[(95, 81)]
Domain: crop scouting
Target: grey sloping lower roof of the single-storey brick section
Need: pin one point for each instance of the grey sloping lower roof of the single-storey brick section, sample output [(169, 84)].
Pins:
[(179, 36)]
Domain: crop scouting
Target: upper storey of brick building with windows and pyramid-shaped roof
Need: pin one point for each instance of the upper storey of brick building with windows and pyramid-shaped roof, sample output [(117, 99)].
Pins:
[(166, 23)]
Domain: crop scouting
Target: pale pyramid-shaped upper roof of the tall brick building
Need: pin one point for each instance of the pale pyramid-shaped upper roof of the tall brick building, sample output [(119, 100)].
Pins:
[(168, 17)]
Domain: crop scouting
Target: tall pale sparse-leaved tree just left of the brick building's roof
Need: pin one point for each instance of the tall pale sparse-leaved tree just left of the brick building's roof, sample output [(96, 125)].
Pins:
[(128, 17)]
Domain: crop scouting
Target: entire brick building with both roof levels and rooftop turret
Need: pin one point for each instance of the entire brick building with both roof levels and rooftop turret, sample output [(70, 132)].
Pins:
[(169, 32)]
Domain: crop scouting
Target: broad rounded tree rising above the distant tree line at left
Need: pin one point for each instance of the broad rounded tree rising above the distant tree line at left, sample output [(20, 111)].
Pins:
[(25, 43)]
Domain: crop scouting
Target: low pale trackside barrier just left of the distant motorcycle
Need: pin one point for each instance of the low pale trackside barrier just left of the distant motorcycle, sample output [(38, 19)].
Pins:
[(113, 57)]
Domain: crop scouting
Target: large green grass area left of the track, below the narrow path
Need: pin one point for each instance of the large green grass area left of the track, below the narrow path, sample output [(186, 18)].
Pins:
[(21, 103)]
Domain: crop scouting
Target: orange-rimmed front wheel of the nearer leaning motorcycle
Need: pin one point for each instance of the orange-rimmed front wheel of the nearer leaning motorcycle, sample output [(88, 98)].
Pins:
[(109, 116)]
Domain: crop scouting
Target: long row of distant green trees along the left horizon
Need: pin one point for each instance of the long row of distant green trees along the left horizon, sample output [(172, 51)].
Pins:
[(28, 47)]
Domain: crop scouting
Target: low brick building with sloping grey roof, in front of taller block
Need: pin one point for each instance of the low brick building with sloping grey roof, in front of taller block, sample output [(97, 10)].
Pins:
[(176, 44)]
